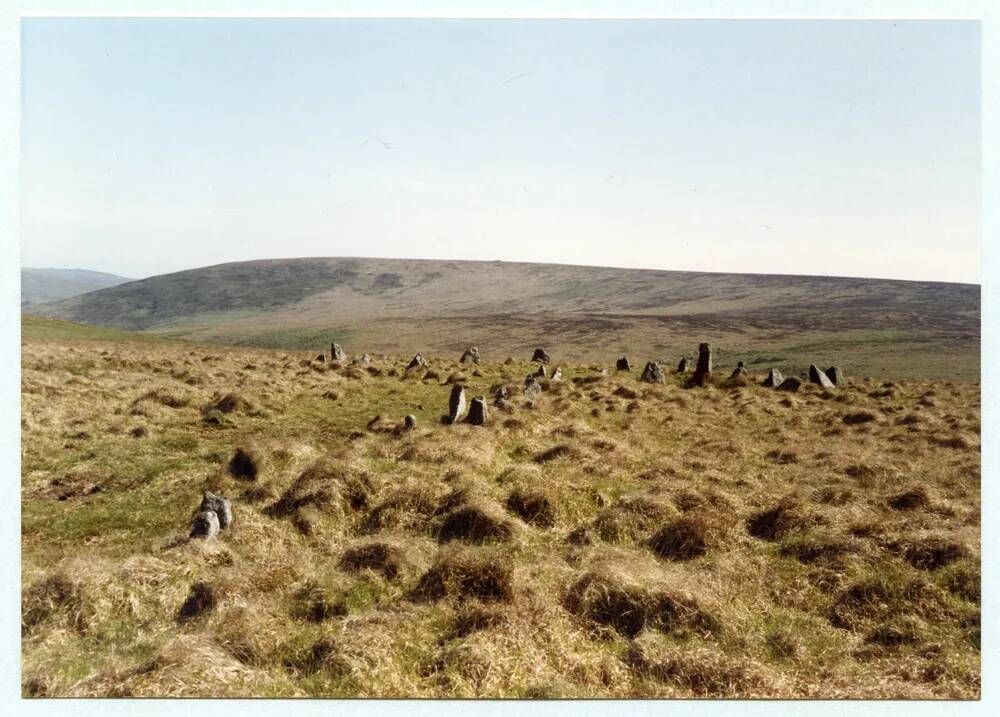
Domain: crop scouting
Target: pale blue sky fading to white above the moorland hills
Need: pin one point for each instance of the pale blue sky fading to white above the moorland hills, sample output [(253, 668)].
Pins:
[(848, 148)]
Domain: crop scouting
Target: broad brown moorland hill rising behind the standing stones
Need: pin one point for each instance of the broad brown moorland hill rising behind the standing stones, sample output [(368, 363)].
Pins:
[(903, 328)]
